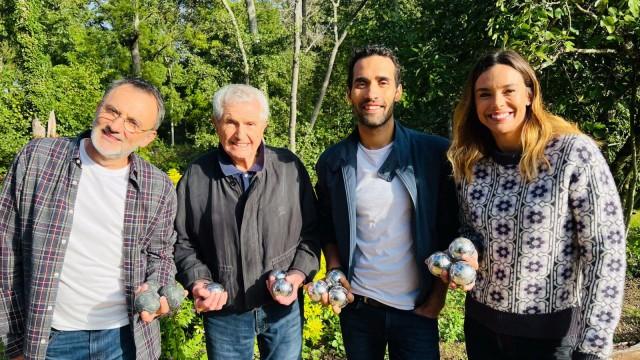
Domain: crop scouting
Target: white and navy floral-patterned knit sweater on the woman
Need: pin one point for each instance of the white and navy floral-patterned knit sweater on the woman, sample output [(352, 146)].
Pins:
[(552, 260)]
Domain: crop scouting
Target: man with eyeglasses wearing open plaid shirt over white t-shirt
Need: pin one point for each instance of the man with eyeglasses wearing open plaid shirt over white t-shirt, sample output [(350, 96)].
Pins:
[(85, 224)]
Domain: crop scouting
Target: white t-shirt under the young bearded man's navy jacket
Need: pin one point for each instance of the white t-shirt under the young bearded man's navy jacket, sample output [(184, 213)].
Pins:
[(385, 267)]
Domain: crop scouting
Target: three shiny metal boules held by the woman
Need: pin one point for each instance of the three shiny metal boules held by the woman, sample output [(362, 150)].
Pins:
[(460, 272)]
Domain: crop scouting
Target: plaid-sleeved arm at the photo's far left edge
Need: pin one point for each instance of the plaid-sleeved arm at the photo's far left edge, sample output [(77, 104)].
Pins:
[(11, 277)]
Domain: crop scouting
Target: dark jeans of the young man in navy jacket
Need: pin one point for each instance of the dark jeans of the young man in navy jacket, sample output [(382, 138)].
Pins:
[(368, 330)]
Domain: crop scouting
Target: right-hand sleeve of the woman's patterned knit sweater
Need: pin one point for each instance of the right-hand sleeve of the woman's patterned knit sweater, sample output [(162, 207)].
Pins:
[(598, 223)]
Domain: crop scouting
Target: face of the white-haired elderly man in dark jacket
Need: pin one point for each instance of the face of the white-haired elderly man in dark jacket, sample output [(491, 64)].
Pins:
[(241, 130)]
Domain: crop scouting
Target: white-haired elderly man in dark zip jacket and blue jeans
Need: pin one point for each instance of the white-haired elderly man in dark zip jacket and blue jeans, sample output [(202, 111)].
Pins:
[(244, 210)]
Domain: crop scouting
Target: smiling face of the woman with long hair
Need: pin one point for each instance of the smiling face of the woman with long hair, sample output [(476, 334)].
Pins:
[(501, 98)]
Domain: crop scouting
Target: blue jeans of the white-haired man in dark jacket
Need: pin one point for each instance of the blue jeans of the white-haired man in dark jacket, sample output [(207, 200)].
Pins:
[(232, 335)]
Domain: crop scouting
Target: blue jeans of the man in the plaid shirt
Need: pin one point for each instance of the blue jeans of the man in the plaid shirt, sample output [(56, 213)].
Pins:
[(110, 344)]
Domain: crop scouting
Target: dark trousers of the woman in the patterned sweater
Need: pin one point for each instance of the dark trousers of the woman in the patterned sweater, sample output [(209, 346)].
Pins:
[(483, 343)]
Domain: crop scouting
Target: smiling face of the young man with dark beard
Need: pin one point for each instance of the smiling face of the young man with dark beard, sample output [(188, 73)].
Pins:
[(374, 90)]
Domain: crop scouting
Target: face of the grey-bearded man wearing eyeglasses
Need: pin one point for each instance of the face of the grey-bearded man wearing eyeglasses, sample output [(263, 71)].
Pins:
[(111, 144)]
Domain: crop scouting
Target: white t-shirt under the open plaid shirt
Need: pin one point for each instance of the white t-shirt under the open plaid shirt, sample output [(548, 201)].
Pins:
[(91, 294)]
